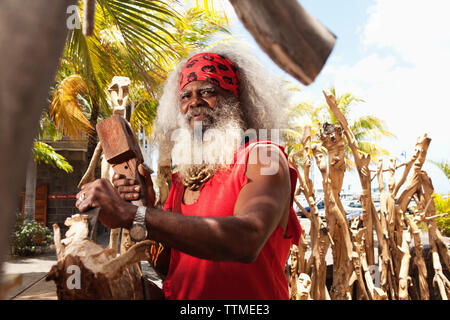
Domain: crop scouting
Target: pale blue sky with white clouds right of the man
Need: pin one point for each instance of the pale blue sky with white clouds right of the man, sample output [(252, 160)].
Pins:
[(396, 56)]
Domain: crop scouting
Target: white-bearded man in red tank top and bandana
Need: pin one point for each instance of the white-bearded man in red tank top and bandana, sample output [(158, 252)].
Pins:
[(228, 218)]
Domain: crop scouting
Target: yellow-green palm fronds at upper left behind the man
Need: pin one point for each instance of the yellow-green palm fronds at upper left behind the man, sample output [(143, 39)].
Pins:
[(142, 40)]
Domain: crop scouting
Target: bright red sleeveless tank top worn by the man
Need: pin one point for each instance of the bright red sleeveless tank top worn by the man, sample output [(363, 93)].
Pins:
[(191, 278)]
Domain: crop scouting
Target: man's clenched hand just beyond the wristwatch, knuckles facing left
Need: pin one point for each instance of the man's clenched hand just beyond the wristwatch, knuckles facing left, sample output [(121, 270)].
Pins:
[(115, 212)]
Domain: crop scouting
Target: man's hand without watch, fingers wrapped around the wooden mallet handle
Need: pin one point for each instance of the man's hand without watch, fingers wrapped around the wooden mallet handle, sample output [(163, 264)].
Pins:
[(129, 189)]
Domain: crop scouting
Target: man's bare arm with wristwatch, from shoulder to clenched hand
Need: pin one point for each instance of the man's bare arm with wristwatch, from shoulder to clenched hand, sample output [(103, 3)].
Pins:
[(262, 205)]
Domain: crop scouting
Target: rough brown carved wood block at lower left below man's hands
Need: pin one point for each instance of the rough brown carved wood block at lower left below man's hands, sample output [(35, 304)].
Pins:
[(87, 271)]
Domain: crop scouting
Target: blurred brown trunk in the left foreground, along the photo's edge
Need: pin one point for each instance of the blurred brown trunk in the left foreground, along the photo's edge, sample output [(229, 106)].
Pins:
[(32, 36)]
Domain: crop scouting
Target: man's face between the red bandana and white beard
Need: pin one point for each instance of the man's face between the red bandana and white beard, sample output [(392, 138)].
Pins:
[(198, 101)]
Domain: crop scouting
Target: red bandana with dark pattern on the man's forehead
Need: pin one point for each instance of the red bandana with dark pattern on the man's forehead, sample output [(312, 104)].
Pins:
[(212, 68)]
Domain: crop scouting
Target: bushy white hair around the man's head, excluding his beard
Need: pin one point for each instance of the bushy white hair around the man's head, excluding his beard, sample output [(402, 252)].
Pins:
[(263, 96)]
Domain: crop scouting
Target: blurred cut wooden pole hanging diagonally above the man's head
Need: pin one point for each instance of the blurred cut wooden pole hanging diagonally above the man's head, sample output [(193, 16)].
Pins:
[(294, 39)]
